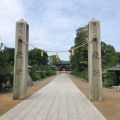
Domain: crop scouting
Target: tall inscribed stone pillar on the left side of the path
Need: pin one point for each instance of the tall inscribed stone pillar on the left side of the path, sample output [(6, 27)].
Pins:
[(21, 61)]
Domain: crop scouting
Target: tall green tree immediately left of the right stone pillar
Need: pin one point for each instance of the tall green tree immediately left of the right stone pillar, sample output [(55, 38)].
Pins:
[(80, 58)]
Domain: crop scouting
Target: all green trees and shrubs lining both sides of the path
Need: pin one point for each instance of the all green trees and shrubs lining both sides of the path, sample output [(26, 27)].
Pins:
[(79, 62)]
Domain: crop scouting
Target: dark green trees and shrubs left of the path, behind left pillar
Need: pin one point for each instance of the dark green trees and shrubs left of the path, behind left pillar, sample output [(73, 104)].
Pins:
[(37, 63)]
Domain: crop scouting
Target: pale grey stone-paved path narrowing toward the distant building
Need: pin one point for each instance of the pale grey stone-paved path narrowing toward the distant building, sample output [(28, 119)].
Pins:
[(59, 100)]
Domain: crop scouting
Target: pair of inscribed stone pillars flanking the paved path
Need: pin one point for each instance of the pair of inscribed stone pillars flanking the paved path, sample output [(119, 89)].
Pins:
[(21, 61)]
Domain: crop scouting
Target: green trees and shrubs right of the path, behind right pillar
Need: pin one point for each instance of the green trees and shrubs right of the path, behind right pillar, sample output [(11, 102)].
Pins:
[(79, 62)]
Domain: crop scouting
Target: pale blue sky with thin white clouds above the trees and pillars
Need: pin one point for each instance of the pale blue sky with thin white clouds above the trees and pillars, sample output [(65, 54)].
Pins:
[(53, 23)]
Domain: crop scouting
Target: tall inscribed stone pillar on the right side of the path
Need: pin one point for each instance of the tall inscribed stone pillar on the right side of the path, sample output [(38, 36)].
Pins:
[(94, 61)]
